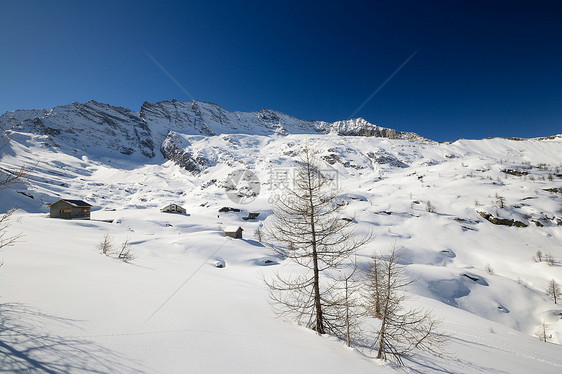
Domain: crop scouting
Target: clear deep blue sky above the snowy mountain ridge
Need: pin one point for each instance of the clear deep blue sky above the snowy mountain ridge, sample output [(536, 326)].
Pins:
[(482, 68)]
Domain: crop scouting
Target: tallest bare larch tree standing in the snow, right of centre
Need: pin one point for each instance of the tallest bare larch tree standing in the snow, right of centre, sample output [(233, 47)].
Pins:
[(307, 229)]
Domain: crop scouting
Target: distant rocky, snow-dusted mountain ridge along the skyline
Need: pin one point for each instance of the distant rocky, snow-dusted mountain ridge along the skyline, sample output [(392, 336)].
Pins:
[(115, 129)]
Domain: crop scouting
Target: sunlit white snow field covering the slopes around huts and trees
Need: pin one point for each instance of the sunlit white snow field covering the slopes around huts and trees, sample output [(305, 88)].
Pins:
[(66, 308)]
